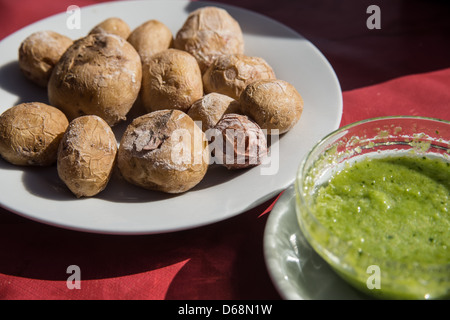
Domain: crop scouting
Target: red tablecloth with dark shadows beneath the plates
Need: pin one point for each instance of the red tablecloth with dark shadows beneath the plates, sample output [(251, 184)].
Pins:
[(402, 68)]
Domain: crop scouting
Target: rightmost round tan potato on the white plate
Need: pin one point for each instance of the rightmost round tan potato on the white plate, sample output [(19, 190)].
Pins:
[(273, 104)]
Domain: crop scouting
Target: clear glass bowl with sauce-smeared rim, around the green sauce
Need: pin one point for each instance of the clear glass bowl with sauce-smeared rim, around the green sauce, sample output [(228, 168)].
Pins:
[(373, 137)]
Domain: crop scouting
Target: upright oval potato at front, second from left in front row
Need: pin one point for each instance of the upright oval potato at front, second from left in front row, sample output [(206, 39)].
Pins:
[(87, 155)]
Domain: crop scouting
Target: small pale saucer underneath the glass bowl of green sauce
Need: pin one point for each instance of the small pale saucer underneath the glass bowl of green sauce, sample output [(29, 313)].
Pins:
[(296, 270)]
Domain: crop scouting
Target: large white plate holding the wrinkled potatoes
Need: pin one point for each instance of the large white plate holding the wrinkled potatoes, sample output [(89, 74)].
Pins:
[(121, 208)]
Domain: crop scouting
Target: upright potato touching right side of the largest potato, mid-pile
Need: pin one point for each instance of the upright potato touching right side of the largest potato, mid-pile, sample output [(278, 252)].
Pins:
[(171, 79)]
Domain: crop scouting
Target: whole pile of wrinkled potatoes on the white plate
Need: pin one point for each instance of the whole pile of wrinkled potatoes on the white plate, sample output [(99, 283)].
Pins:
[(197, 80)]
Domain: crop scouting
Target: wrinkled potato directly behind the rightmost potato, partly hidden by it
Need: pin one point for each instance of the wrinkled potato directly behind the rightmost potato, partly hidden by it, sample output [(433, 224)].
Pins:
[(230, 74)]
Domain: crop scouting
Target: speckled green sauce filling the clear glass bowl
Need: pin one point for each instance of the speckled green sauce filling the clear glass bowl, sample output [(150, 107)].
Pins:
[(394, 208)]
